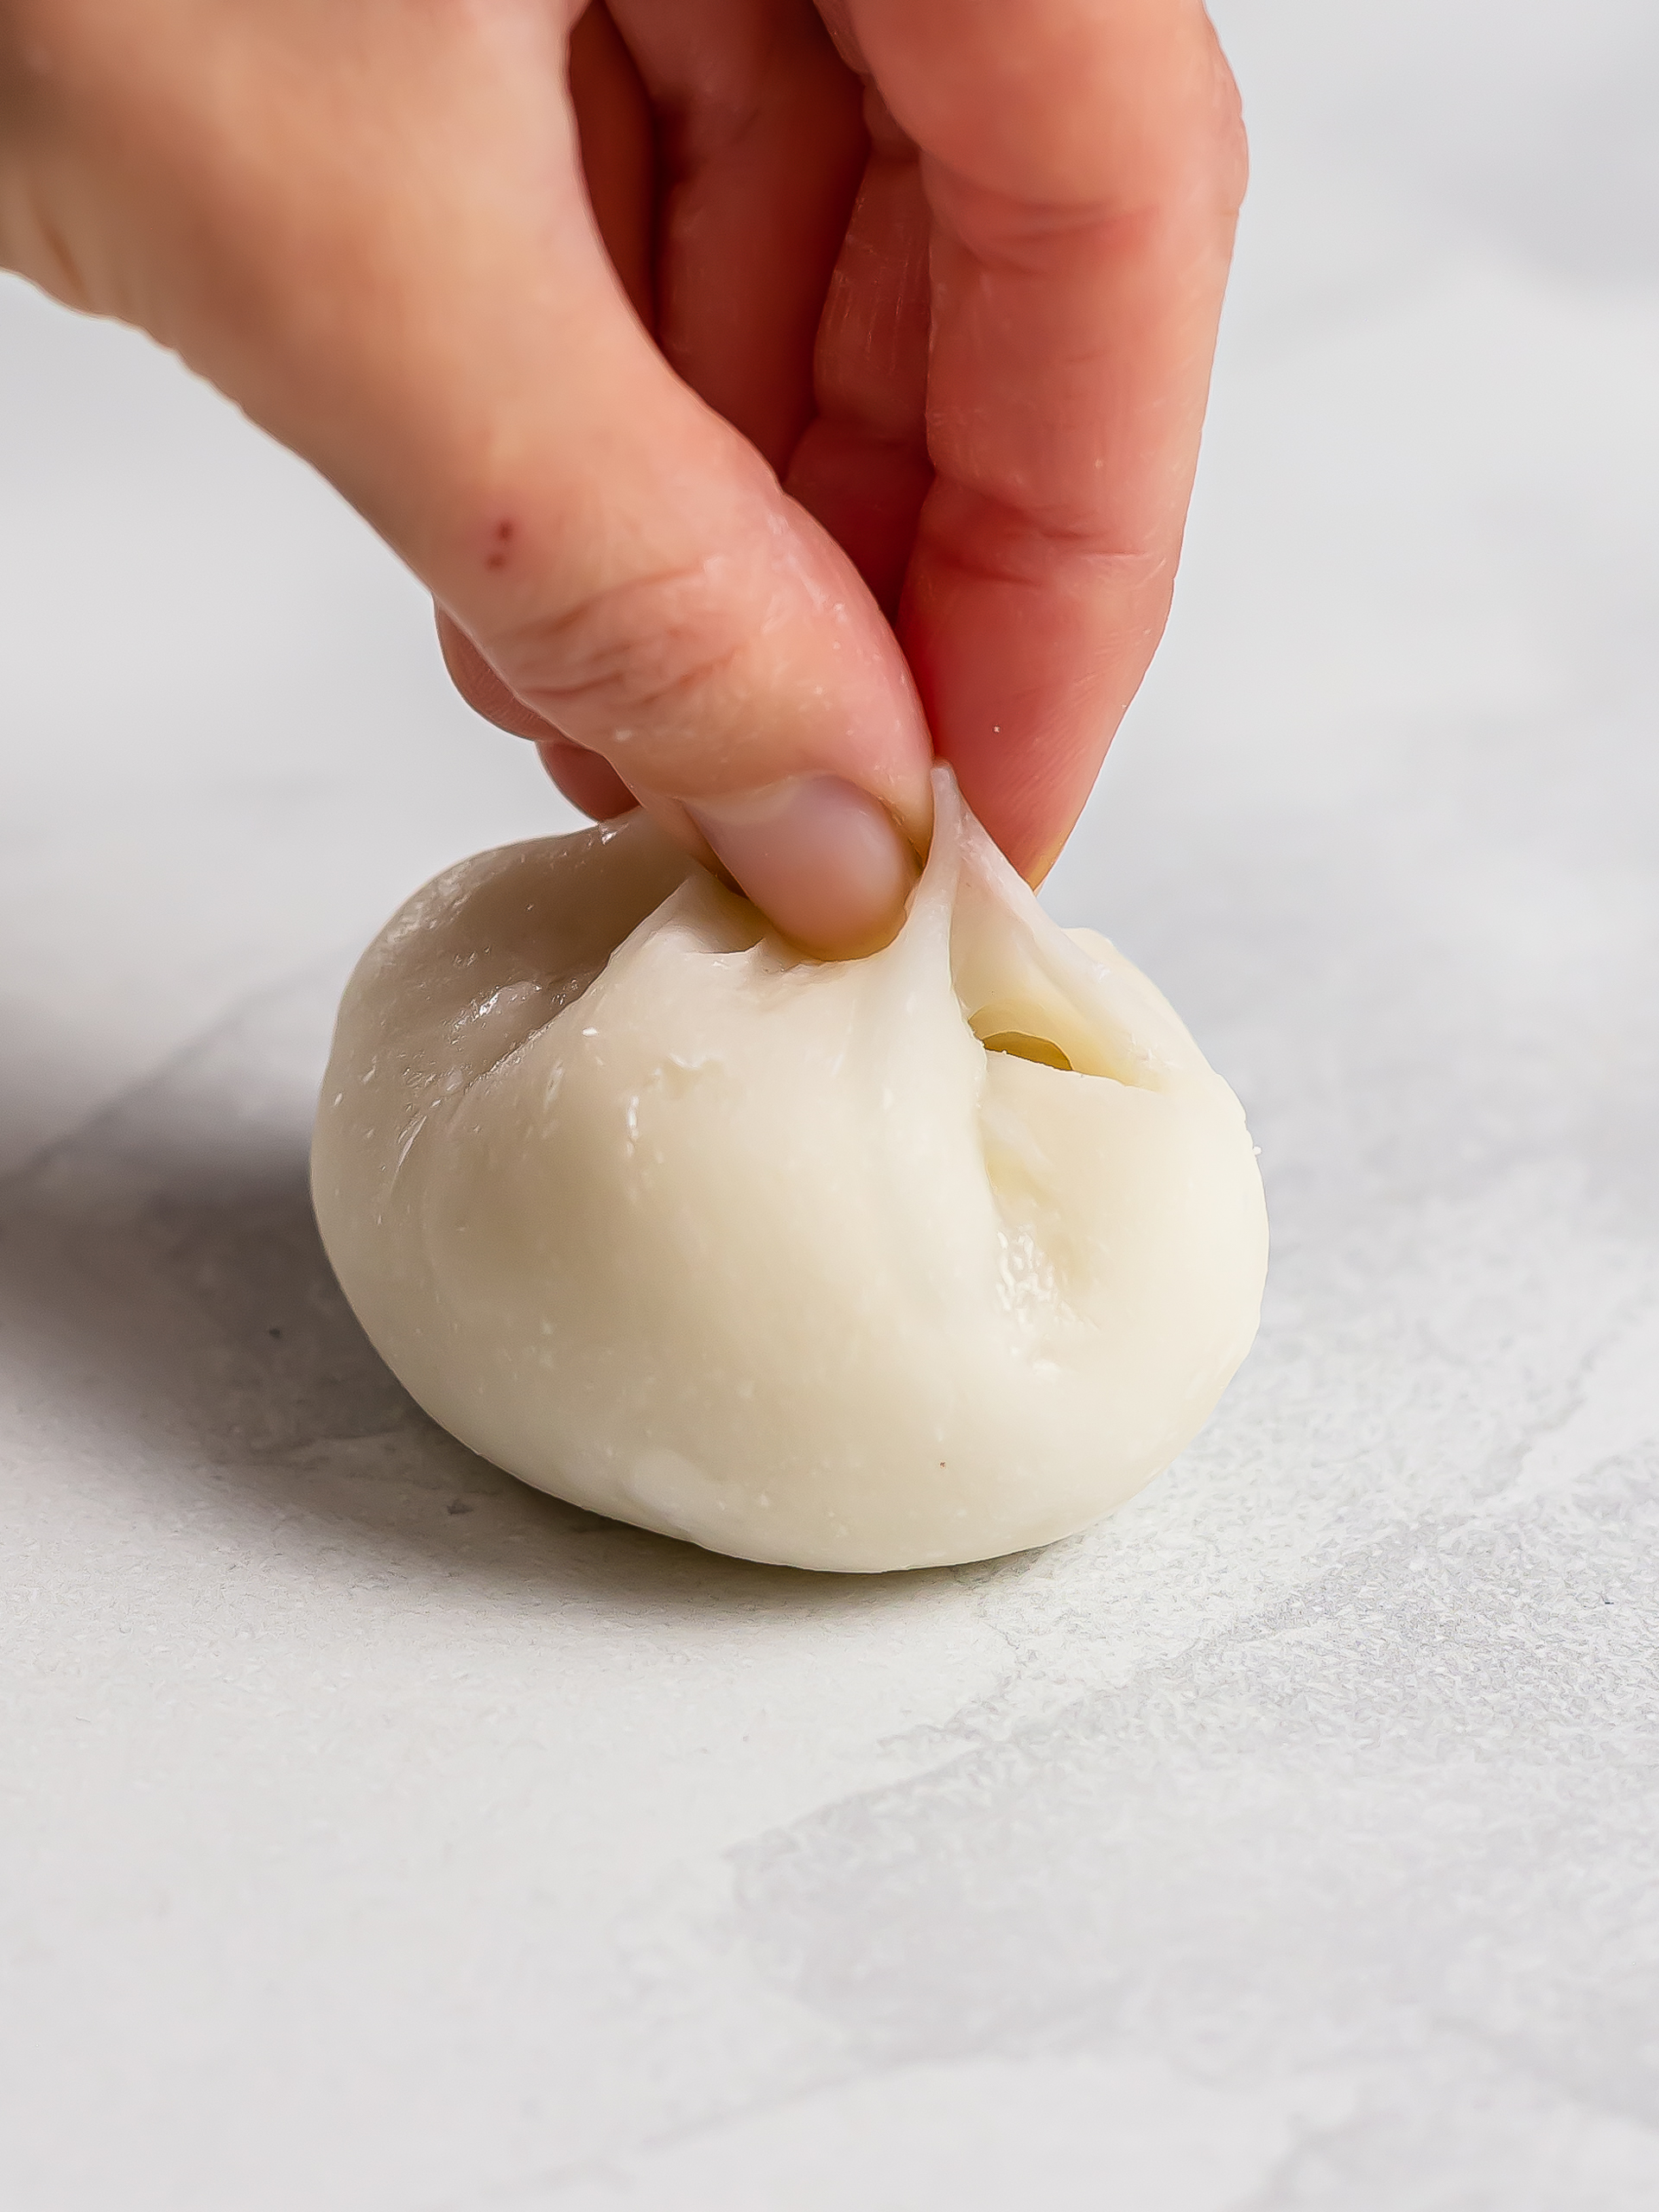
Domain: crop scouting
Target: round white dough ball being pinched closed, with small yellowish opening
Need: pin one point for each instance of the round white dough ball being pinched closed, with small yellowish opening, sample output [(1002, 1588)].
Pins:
[(855, 1266)]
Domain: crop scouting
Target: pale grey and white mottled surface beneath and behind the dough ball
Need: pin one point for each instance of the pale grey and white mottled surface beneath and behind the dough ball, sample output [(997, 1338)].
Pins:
[(386, 1837)]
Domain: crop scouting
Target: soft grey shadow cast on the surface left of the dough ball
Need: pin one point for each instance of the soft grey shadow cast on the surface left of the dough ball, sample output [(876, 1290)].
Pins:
[(167, 1306)]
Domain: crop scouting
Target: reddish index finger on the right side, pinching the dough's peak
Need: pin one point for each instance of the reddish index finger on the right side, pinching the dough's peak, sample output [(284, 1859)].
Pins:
[(1085, 167)]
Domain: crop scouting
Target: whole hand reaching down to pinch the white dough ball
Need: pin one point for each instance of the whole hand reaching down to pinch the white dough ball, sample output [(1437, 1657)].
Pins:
[(773, 397)]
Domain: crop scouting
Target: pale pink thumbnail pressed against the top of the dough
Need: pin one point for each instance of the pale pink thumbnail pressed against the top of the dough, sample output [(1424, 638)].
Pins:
[(820, 857)]
